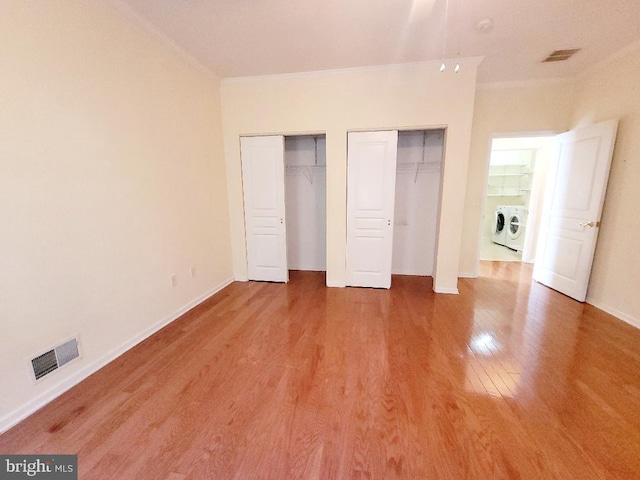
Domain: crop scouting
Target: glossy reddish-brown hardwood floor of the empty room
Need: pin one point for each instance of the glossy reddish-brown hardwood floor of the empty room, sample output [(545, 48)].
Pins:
[(266, 381)]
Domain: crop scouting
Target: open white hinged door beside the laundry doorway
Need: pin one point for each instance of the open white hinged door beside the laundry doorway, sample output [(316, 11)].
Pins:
[(576, 187)]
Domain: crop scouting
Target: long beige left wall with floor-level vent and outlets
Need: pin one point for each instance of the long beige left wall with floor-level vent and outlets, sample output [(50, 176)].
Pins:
[(112, 179)]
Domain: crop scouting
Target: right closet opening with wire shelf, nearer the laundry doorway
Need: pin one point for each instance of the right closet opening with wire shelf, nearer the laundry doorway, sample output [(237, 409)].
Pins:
[(417, 201)]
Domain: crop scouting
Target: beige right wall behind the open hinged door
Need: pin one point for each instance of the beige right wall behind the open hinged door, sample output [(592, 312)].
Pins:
[(612, 91)]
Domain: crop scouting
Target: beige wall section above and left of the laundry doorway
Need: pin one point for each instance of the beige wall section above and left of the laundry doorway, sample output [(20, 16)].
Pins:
[(505, 109)]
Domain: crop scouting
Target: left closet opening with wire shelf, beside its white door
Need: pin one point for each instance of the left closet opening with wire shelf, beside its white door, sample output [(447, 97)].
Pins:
[(305, 202)]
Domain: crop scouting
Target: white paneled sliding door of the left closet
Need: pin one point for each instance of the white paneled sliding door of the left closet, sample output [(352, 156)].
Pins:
[(264, 212)]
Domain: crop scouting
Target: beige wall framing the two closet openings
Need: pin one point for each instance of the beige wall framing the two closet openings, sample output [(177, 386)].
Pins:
[(336, 102)]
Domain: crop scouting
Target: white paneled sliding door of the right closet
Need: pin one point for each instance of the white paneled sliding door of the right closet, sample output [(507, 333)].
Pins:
[(371, 180)]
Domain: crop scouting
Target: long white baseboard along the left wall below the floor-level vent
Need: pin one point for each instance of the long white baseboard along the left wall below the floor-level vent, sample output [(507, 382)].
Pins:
[(13, 418)]
